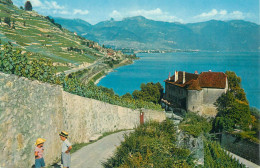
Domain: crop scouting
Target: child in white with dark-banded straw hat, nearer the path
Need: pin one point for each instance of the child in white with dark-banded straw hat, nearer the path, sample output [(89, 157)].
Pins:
[(65, 150)]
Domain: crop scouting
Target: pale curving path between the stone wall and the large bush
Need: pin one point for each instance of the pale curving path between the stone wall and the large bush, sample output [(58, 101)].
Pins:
[(94, 154)]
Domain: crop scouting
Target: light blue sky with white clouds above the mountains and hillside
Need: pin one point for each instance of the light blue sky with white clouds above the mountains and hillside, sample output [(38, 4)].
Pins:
[(183, 11)]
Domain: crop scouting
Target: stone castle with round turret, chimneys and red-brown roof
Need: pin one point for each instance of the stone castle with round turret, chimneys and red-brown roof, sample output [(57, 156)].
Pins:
[(195, 92)]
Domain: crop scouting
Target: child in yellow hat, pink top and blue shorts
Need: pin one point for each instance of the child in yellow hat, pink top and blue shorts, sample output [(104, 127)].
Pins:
[(38, 152)]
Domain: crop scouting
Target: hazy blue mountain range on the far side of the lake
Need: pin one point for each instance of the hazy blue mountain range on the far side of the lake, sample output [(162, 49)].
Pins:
[(141, 33)]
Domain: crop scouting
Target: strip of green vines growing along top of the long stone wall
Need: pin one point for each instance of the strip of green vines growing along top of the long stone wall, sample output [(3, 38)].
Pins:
[(12, 61)]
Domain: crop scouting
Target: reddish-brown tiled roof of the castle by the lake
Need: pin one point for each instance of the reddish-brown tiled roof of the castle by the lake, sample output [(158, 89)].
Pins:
[(199, 81)]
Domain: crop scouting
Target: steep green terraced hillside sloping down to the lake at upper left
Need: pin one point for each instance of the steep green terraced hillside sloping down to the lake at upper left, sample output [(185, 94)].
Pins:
[(41, 37)]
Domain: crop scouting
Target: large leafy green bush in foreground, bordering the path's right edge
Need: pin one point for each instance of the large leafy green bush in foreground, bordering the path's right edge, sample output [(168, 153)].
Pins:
[(151, 145)]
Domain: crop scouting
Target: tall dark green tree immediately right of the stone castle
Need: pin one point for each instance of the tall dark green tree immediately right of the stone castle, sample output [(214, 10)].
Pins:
[(233, 108)]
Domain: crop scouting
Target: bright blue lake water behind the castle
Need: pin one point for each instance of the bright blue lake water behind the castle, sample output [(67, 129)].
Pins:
[(156, 68)]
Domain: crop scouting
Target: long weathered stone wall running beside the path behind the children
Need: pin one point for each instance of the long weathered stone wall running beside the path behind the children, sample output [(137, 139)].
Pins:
[(31, 109)]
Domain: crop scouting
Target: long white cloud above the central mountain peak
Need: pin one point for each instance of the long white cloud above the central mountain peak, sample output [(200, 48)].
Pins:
[(154, 14)]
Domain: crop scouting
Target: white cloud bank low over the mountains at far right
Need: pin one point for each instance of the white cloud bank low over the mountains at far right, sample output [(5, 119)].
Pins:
[(220, 15)]
